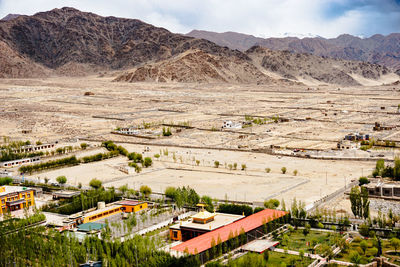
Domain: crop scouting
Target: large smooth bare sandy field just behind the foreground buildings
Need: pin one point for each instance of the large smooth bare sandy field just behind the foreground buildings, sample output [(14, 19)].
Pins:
[(314, 180)]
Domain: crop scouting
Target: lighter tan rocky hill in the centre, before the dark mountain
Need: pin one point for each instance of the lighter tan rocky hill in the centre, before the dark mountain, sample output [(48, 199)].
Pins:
[(197, 66)]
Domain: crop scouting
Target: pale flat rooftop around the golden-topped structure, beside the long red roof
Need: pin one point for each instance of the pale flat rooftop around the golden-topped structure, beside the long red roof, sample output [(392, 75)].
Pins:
[(220, 219)]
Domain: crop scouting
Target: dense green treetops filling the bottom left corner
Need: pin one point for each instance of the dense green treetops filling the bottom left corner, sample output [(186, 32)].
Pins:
[(36, 247)]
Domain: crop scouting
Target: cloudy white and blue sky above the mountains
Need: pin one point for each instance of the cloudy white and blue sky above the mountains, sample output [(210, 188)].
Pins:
[(263, 18)]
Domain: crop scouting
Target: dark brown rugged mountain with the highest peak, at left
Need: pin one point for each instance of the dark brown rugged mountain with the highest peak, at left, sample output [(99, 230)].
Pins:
[(61, 36)]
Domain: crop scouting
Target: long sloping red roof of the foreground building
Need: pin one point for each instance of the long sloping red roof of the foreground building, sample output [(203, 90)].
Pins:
[(251, 225)]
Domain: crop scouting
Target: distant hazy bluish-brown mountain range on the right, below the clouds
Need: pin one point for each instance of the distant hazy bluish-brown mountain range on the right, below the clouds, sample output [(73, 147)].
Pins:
[(378, 49)]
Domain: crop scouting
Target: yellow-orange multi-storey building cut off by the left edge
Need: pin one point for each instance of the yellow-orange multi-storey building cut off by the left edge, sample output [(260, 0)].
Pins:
[(15, 198)]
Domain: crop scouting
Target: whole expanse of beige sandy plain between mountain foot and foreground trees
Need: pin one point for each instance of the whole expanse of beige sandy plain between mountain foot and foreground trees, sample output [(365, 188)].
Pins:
[(56, 109)]
